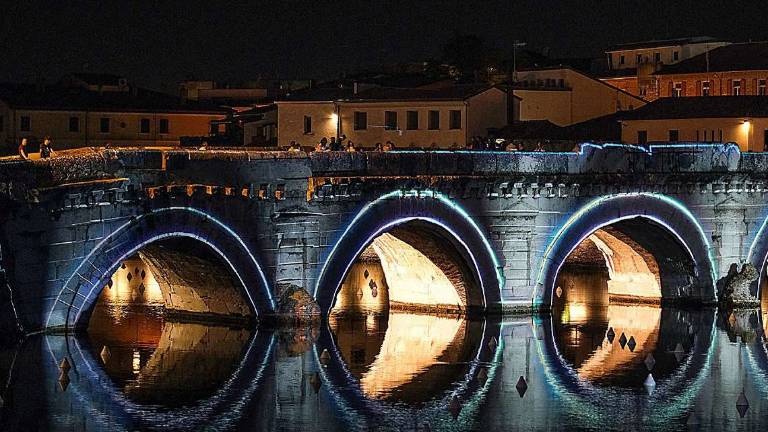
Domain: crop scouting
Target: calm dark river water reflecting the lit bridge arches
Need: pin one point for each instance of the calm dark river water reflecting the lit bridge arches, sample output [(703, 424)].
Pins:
[(607, 367)]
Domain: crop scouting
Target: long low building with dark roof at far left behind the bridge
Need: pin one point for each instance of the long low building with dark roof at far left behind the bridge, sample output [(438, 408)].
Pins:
[(76, 116)]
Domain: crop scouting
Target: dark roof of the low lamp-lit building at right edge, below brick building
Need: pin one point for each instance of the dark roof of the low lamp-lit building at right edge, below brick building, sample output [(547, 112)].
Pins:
[(702, 107)]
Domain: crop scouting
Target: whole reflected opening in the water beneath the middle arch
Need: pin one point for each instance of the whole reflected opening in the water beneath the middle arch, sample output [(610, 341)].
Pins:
[(407, 357)]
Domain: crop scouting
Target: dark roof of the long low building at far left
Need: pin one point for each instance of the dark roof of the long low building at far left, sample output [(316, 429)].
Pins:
[(73, 98)]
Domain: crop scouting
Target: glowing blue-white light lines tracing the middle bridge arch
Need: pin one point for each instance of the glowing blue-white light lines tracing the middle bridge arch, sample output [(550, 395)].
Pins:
[(427, 193)]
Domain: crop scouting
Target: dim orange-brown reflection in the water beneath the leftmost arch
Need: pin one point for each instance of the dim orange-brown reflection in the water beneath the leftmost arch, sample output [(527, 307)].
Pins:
[(164, 363)]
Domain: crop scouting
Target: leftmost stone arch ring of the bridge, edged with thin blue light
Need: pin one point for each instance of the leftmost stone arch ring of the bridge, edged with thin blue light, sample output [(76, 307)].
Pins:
[(81, 289)]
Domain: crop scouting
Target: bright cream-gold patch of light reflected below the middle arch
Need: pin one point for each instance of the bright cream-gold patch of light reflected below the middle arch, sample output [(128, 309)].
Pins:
[(412, 344)]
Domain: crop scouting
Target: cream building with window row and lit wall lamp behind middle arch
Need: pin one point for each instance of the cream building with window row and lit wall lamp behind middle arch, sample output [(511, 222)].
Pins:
[(409, 118)]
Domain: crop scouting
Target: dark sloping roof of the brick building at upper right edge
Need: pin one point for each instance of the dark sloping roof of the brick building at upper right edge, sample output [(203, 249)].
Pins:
[(734, 57)]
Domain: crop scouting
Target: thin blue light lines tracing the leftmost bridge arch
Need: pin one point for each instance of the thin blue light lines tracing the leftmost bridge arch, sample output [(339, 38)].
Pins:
[(230, 231)]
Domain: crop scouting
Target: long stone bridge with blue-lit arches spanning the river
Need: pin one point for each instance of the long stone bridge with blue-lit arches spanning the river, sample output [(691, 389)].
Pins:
[(504, 222)]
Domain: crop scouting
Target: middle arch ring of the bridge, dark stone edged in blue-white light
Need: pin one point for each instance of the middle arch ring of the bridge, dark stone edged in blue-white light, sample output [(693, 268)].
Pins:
[(428, 211)]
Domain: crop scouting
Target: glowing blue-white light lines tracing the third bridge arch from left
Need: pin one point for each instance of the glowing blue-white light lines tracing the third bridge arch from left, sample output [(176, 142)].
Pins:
[(600, 200)]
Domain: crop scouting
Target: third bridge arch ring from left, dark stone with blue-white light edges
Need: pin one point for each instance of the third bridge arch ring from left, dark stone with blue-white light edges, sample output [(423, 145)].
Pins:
[(660, 214)]
